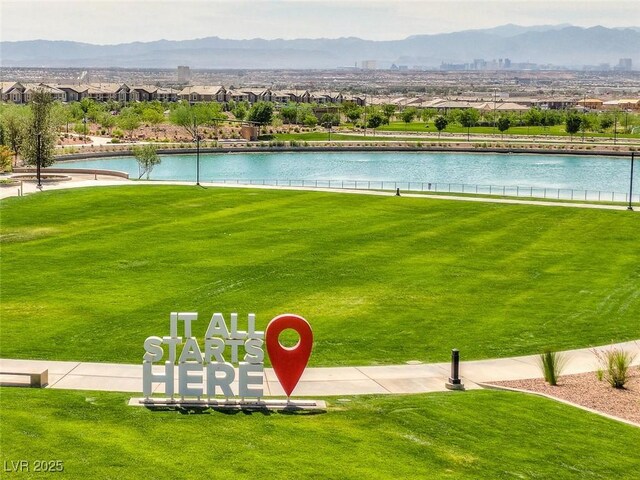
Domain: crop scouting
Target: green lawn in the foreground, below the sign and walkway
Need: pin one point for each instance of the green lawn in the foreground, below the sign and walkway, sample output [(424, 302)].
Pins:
[(474, 435)]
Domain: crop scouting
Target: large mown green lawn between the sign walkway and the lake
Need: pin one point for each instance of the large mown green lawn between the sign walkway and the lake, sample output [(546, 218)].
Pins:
[(88, 274)]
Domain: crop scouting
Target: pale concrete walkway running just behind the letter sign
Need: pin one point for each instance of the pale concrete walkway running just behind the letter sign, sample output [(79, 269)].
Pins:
[(398, 379)]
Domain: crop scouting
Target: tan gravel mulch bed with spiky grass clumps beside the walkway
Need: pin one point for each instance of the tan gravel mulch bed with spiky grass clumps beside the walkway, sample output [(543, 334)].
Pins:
[(586, 390)]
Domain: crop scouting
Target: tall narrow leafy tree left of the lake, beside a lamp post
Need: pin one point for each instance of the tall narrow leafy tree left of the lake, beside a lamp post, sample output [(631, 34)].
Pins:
[(39, 140)]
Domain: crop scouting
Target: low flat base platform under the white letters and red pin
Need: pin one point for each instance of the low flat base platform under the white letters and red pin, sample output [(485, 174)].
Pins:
[(229, 404)]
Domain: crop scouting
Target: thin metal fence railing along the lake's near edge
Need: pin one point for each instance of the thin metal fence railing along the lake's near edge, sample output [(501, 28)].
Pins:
[(441, 187)]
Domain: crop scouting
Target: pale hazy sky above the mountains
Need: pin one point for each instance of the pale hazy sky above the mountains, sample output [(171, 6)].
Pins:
[(118, 21)]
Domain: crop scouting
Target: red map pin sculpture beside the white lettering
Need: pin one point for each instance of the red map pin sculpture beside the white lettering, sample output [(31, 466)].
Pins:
[(288, 362)]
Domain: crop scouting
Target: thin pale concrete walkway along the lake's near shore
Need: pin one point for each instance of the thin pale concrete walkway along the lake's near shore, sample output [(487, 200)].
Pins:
[(90, 180)]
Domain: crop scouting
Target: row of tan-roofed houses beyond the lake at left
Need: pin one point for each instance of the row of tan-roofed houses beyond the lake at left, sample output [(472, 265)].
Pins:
[(17, 92)]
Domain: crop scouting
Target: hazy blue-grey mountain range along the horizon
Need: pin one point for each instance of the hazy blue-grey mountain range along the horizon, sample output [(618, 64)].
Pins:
[(543, 44)]
